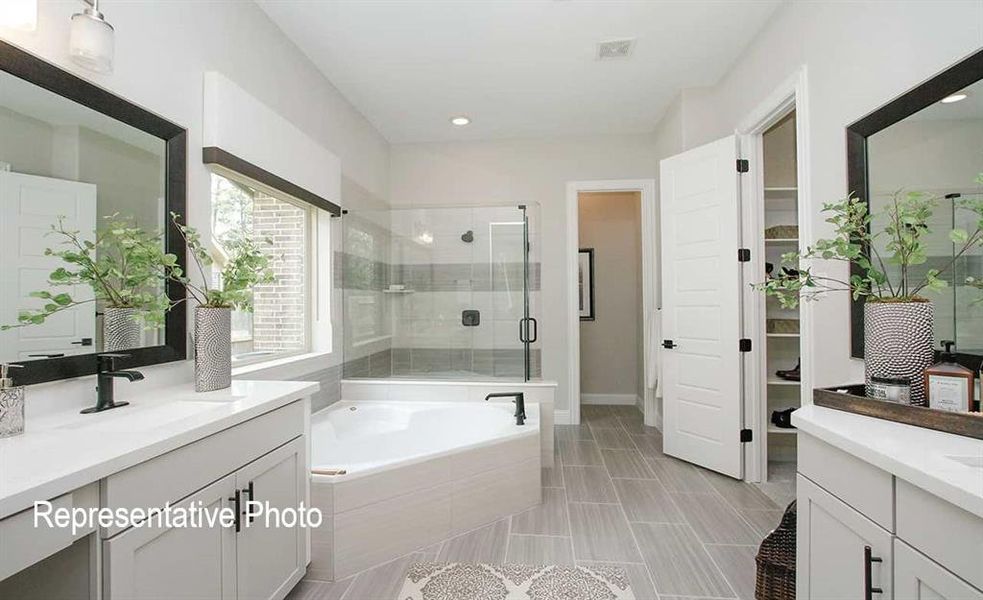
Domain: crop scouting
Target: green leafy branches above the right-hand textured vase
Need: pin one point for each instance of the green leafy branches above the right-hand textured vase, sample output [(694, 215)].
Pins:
[(906, 226)]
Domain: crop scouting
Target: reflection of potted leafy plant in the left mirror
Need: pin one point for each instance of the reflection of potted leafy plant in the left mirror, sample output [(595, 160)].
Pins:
[(125, 266)]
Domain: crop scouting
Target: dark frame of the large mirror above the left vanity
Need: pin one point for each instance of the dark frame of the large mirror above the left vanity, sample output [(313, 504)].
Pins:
[(41, 73)]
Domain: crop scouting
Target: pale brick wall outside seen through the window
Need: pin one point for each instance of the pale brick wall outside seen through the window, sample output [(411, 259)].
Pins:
[(279, 320)]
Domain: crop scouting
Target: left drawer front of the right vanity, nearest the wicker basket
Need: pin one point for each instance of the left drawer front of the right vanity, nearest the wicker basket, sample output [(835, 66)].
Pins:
[(863, 486)]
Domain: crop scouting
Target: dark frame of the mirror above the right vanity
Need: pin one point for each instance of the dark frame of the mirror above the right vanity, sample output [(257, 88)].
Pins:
[(961, 75)]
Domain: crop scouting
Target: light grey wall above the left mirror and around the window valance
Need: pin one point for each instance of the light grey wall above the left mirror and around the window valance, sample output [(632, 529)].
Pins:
[(162, 52)]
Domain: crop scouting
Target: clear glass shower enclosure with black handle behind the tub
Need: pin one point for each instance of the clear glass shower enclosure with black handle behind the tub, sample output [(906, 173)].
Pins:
[(441, 293)]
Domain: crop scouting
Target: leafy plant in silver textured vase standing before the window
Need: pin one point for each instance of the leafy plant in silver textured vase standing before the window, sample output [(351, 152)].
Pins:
[(245, 266)]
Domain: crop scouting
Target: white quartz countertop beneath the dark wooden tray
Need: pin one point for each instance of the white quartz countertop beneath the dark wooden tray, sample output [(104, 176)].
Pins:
[(946, 465)]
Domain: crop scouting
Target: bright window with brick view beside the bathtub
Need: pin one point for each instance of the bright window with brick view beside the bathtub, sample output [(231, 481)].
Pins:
[(280, 323)]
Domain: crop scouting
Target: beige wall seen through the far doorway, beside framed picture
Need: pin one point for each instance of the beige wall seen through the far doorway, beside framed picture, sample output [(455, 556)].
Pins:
[(611, 344)]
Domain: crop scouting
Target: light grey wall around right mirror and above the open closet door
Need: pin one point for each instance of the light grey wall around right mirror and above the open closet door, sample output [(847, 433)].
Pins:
[(859, 55)]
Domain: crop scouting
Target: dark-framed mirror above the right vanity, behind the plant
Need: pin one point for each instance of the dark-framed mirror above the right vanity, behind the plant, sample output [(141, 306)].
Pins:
[(930, 140)]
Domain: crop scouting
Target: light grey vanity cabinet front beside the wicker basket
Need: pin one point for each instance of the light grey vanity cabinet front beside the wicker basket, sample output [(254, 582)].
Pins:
[(864, 534)]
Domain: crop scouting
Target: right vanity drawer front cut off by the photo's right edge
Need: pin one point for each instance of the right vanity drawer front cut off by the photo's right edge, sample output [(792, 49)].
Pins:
[(944, 532)]
